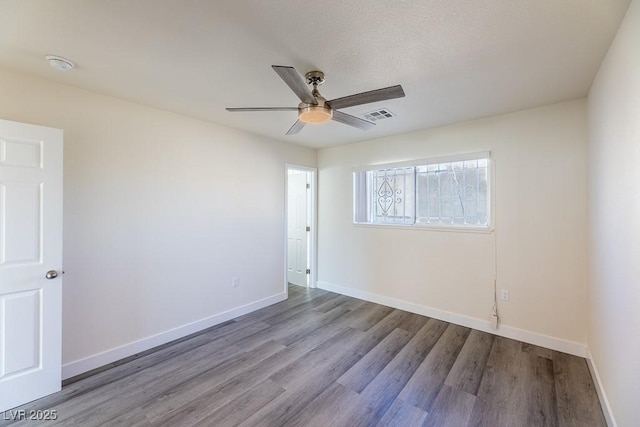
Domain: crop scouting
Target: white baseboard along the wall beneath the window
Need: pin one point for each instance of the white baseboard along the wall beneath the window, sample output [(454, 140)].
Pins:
[(541, 340)]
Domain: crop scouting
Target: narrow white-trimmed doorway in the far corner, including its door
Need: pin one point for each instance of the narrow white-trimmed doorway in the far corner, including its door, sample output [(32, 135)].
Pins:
[(300, 226)]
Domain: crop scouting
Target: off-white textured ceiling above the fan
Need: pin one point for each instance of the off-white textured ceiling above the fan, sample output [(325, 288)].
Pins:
[(456, 59)]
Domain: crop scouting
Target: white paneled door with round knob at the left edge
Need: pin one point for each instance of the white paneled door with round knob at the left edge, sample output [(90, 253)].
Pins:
[(30, 246)]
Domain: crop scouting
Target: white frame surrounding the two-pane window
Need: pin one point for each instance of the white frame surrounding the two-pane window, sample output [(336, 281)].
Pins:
[(488, 228)]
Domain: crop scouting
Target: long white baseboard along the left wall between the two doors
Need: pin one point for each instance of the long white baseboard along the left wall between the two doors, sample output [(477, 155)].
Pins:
[(95, 361)]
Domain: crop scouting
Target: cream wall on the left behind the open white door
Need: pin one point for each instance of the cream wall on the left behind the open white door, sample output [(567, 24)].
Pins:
[(160, 211)]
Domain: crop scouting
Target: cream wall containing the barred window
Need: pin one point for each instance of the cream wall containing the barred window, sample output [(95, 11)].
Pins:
[(540, 187)]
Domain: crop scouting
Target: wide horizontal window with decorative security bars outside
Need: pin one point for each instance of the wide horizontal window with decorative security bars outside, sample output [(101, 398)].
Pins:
[(449, 192)]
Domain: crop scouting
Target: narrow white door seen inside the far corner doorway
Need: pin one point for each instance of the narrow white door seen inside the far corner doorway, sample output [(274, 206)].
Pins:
[(297, 228)]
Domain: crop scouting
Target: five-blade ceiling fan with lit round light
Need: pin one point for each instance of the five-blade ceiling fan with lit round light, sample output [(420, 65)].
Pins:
[(316, 109)]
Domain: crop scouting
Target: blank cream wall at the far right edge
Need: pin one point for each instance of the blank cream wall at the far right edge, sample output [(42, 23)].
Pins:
[(614, 221)]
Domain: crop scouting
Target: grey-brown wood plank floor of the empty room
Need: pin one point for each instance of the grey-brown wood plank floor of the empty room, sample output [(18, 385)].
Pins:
[(323, 359)]
